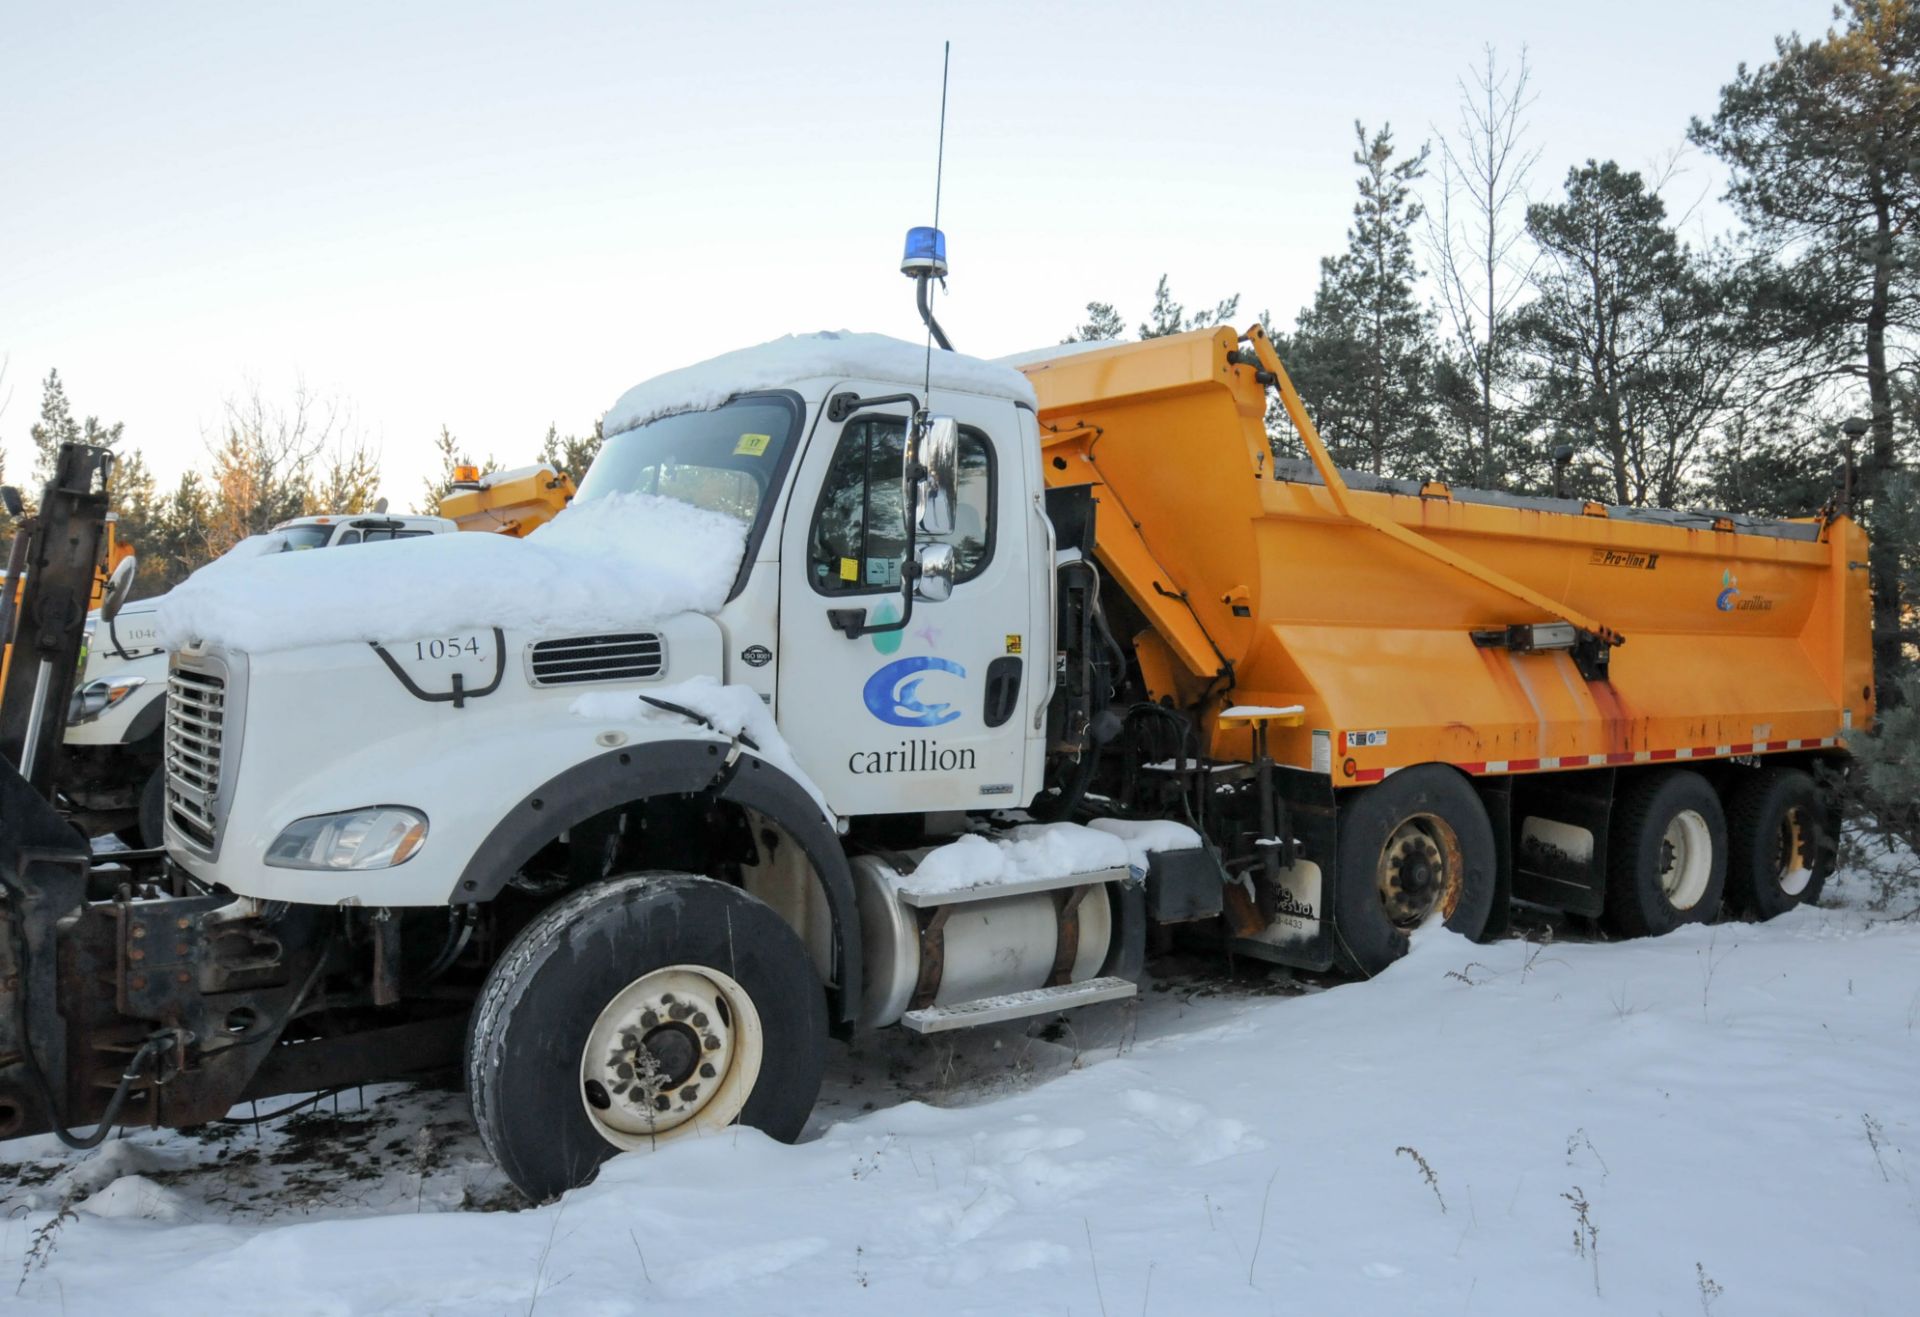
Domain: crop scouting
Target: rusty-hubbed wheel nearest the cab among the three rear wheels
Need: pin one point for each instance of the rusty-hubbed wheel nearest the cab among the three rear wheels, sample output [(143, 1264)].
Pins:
[(1414, 846)]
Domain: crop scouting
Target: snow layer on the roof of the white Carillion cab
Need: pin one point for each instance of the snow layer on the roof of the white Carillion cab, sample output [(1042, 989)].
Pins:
[(828, 354)]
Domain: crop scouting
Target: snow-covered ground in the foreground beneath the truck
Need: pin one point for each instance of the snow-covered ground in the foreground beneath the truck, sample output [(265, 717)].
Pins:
[(1717, 1122)]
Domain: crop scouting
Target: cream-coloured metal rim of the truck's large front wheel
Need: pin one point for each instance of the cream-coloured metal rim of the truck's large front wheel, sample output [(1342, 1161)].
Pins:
[(677, 1051)]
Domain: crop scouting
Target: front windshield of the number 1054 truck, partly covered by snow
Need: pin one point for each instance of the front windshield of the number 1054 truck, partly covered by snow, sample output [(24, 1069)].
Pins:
[(729, 460)]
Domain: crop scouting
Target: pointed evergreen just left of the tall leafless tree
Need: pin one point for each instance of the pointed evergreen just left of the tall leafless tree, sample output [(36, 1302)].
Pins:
[(1362, 354)]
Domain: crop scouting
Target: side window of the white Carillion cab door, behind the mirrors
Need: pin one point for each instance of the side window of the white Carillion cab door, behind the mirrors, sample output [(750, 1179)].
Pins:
[(859, 537)]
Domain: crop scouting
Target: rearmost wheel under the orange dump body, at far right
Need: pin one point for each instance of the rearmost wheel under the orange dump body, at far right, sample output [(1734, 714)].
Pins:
[(1779, 850)]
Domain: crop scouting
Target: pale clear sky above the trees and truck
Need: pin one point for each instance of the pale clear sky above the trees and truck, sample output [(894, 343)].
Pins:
[(504, 216)]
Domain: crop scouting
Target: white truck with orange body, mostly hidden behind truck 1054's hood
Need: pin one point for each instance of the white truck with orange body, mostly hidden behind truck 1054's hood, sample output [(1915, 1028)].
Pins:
[(112, 767)]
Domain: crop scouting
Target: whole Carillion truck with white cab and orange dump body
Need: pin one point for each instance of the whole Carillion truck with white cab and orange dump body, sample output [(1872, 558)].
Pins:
[(871, 688)]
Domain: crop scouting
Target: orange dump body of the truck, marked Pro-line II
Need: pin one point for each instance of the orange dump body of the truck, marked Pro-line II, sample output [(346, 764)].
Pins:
[(1740, 636)]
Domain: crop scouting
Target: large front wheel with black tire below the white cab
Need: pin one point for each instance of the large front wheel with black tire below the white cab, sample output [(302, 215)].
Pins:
[(638, 1013)]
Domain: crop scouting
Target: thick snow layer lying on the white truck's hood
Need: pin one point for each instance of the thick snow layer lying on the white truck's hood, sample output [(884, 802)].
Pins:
[(610, 563)]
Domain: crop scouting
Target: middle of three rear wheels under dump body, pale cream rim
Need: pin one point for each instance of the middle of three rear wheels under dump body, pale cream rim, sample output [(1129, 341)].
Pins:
[(1666, 855)]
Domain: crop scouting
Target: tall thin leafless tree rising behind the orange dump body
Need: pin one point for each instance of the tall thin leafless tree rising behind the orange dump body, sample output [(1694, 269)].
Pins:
[(1476, 247)]
